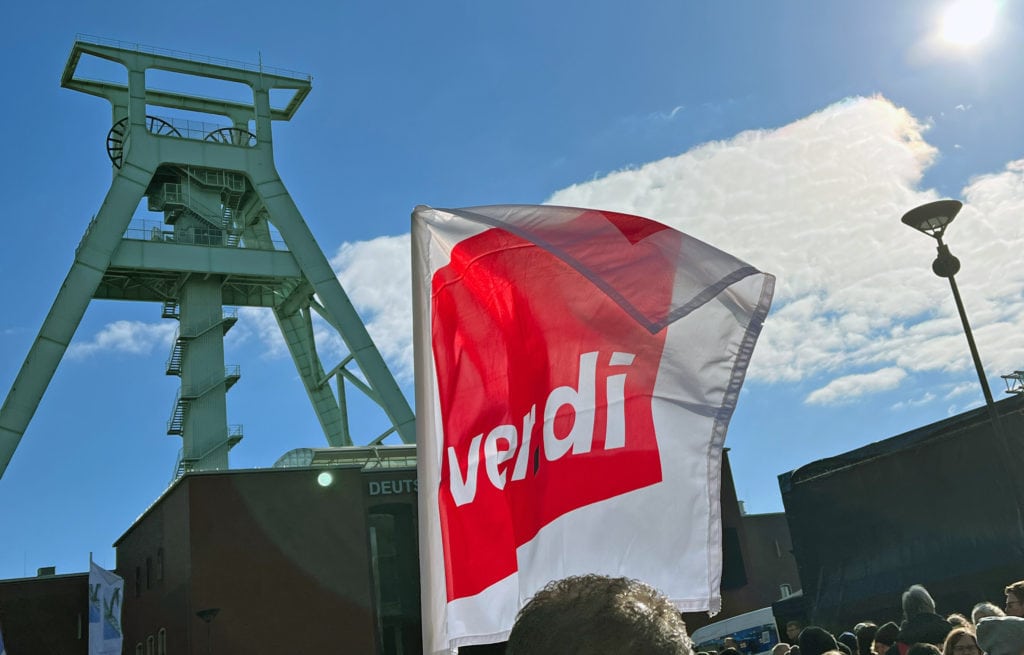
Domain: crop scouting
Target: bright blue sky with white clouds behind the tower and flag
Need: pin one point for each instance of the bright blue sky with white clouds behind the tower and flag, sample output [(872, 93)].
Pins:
[(793, 135)]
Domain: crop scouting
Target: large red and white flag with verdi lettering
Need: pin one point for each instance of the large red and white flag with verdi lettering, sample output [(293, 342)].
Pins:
[(576, 374)]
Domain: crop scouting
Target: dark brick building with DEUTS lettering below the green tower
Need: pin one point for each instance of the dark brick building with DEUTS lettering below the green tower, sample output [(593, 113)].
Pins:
[(321, 558)]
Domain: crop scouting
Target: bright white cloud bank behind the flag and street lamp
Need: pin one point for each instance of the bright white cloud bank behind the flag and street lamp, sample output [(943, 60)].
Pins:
[(817, 203)]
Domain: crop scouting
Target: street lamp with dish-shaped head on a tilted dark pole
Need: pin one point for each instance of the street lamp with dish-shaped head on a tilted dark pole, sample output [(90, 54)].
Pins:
[(932, 220)]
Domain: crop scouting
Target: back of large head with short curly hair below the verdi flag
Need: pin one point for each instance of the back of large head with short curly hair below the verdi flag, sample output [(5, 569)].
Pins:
[(599, 615)]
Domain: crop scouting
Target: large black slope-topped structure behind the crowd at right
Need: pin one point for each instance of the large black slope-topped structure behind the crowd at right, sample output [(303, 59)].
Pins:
[(931, 506)]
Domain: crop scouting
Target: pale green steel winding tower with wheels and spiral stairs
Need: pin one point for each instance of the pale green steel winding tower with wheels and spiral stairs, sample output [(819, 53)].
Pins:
[(224, 207)]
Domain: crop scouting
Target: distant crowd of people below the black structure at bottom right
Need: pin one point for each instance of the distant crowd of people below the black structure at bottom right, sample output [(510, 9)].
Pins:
[(990, 631)]
